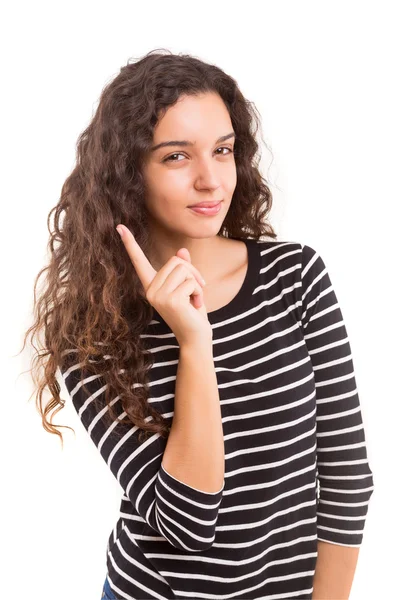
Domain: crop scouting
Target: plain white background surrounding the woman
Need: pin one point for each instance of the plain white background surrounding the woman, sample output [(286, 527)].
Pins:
[(324, 77)]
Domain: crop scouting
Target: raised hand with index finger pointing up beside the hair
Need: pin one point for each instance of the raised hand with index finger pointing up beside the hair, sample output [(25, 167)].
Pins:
[(174, 291)]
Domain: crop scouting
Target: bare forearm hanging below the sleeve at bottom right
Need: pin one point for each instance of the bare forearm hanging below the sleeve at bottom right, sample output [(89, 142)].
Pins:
[(334, 571)]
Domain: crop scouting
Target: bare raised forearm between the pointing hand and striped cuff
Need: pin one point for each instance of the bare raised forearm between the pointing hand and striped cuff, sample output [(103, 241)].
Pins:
[(195, 452)]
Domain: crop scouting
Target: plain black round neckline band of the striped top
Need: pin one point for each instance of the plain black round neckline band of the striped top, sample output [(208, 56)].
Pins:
[(247, 287)]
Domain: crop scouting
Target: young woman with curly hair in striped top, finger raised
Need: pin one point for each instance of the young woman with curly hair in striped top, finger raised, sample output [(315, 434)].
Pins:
[(226, 409)]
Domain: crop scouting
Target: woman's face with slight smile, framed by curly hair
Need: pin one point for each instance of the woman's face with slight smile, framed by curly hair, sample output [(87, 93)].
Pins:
[(202, 169)]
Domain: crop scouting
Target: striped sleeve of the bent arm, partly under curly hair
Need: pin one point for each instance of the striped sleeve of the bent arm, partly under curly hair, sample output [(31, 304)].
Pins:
[(185, 516)]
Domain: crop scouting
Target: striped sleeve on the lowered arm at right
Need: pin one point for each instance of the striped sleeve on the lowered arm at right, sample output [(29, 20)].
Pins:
[(344, 476)]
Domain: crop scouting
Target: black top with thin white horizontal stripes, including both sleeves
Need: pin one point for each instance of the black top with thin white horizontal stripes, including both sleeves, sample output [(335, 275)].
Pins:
[(296, 466)]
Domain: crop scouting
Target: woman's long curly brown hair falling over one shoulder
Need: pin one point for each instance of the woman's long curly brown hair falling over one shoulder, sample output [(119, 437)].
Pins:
[(93, 306)]
